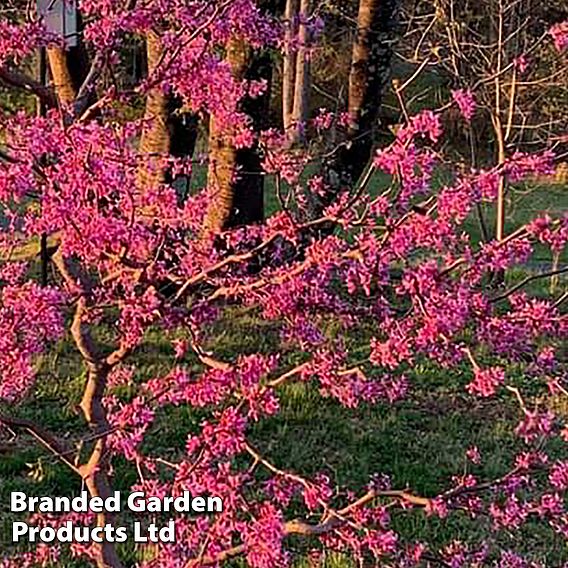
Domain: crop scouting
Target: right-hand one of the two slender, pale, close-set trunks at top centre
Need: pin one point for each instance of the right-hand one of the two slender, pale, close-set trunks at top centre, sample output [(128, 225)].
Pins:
[(302, 78)]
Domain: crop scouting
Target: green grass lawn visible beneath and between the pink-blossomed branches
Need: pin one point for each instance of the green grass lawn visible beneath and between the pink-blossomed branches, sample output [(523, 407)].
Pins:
[(419, 442)]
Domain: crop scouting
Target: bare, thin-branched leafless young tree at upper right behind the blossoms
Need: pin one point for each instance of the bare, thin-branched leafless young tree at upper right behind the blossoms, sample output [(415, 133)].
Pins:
[(497, 49)]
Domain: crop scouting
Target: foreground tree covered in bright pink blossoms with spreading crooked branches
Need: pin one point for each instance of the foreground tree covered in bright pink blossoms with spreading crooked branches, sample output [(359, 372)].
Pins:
[(130, 257)]
